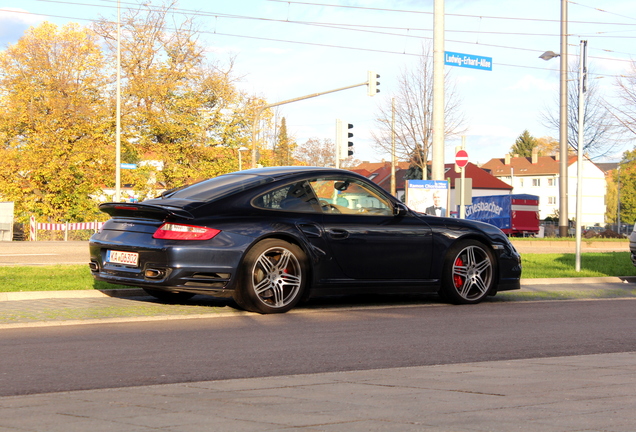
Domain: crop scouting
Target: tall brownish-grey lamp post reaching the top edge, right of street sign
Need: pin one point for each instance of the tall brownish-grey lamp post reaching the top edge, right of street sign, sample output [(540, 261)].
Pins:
[(563, 124)]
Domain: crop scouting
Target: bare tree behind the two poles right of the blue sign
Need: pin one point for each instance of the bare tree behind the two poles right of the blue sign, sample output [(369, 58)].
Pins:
[(600, 131)]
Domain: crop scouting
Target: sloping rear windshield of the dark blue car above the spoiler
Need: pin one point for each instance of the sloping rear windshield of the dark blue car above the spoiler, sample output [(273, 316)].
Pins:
[(217, 187)]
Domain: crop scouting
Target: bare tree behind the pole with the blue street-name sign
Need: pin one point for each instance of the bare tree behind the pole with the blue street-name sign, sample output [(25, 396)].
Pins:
[(413, 107)]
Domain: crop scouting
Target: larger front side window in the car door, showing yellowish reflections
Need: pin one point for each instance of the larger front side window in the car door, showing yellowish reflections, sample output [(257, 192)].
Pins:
[(348, 196)]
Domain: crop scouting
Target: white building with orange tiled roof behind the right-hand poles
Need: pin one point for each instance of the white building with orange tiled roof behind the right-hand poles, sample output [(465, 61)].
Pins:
[(539, 175)]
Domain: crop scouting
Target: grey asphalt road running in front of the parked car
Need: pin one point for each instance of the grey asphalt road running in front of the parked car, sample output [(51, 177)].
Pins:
[(54, 359)]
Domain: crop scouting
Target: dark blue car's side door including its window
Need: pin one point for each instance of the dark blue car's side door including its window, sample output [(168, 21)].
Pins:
[(366, 238)]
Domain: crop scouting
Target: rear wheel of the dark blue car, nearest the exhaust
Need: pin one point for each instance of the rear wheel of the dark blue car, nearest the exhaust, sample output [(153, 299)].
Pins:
[(273, 277)]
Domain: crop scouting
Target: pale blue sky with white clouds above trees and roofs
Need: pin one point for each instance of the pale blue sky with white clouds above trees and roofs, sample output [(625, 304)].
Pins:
[(287, 49)]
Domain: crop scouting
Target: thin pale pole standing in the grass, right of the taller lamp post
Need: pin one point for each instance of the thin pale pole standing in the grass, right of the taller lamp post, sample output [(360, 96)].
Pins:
[(579, 170)]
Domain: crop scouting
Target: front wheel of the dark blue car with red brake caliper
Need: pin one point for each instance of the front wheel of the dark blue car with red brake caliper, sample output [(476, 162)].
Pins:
[(468, 275)]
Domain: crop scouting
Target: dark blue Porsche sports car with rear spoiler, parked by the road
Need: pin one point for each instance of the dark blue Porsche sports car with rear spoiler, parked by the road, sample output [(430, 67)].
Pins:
[(271, 237)]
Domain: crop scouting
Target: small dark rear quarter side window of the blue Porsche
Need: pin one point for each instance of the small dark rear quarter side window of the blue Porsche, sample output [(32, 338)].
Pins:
[(295, 197)]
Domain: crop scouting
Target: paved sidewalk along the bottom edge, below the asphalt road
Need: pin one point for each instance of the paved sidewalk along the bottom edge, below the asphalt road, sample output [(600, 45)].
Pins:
[(579, 393)]
